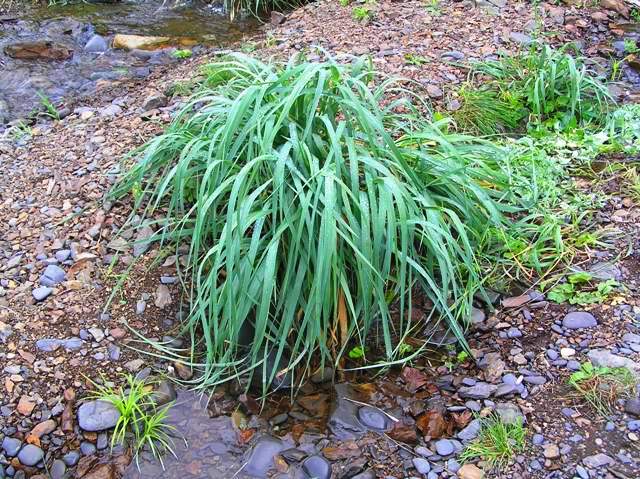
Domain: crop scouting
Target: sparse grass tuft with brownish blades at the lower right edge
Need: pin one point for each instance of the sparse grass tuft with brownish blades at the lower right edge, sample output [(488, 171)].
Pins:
[(602, 386)]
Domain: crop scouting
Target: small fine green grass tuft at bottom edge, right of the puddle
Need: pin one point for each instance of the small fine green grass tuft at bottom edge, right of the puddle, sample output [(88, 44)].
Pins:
[(497, 443)]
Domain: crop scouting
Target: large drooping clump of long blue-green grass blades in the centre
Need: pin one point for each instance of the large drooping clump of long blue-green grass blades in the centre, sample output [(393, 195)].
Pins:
[(314, 211)]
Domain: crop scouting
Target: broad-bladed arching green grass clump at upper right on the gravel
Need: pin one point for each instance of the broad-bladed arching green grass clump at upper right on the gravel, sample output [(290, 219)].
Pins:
[(556, 88)]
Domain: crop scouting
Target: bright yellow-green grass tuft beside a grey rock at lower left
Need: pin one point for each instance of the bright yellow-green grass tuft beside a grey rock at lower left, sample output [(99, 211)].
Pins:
[(142, 424)]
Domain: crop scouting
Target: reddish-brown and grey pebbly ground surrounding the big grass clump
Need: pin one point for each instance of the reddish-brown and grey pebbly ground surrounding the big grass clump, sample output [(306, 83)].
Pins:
[(63, 322)]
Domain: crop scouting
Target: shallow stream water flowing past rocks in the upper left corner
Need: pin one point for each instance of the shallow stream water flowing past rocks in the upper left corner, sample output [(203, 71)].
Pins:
[(71, 26)]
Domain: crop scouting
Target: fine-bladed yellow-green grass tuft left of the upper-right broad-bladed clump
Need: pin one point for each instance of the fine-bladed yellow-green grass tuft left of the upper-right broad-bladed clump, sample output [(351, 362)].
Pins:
[(487, 111)]
